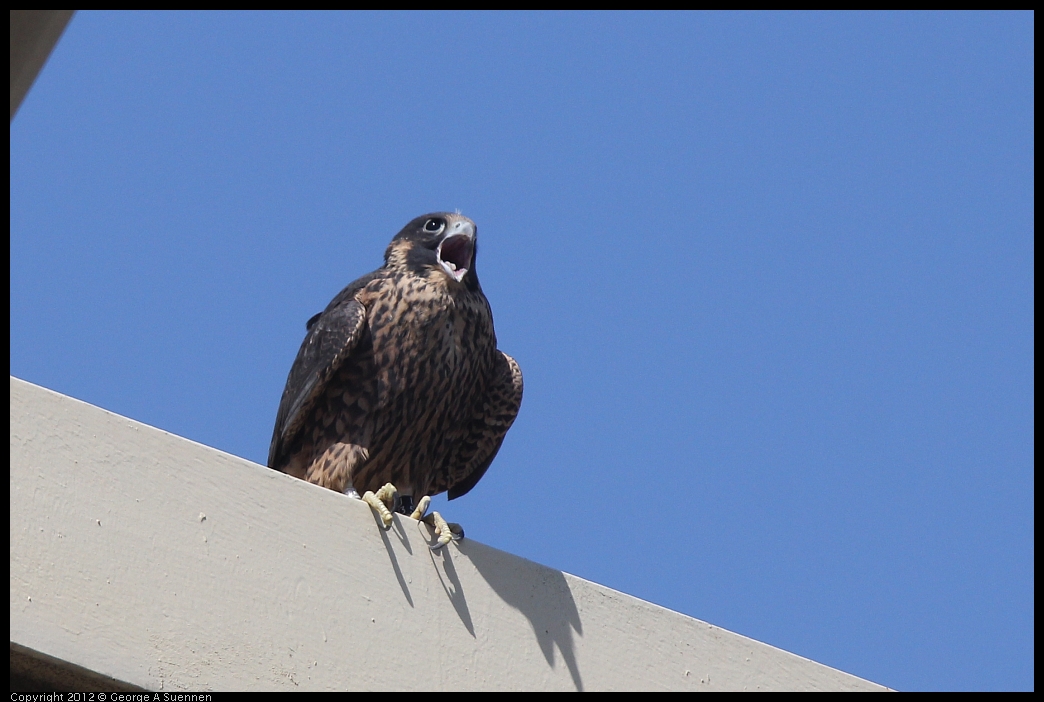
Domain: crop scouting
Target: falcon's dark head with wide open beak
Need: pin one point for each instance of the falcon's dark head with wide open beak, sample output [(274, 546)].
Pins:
[(439, 247)]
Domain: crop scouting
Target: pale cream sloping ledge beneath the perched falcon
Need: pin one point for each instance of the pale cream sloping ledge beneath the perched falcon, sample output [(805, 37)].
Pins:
[(154, 563)]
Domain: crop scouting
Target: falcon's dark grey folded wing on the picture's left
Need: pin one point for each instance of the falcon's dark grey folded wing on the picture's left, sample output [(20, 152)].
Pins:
[(331, 338)]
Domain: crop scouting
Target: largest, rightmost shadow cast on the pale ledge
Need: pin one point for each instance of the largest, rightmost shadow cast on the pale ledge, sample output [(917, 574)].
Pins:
[(550, 606)]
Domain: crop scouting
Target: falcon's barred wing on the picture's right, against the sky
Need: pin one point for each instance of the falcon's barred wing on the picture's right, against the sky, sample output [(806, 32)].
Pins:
[(491, 424)]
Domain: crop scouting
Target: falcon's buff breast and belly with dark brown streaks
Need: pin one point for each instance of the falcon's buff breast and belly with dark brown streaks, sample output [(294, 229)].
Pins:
[(434, 355)]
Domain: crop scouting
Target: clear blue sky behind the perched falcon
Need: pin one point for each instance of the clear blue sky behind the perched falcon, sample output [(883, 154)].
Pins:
[(769, 278)]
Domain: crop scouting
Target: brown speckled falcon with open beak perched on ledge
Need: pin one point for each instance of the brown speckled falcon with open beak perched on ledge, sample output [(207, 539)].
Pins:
[(399, 392)]
